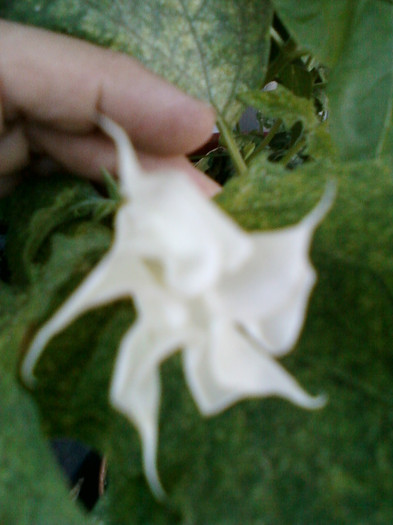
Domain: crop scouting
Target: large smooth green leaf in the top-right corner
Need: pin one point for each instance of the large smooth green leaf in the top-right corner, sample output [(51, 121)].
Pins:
[(355, 38)]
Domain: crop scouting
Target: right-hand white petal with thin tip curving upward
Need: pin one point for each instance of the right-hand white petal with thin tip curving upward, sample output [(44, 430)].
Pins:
[(269, 294)]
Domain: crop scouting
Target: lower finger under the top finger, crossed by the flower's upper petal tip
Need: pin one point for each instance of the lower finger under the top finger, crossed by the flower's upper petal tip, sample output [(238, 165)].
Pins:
[(87, 155)]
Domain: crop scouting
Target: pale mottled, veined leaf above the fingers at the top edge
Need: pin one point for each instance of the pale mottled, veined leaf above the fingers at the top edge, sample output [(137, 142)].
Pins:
[(212, 49)]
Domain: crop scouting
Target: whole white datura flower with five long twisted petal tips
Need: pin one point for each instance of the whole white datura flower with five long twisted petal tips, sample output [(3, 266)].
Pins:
[(232, 301)]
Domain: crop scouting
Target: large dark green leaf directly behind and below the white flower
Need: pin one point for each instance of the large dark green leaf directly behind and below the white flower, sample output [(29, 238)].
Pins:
[(262, 460)]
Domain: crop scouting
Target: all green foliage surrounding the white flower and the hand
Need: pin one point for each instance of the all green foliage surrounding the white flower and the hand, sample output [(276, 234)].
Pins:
[(262, 461)]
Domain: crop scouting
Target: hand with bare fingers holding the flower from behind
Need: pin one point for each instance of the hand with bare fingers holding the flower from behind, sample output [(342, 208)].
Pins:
[(51, 88)]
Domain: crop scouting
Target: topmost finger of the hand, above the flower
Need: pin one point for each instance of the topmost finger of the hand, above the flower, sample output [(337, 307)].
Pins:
[(62, 82)]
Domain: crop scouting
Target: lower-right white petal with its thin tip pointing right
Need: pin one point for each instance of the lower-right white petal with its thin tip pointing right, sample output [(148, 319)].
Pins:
[(230, 368)]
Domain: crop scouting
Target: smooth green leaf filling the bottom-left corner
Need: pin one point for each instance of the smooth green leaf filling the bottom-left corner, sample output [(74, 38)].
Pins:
[(32, 491)]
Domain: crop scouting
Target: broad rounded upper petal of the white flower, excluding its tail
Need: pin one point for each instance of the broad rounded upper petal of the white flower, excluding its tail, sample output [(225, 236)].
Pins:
[(190, 237)]
